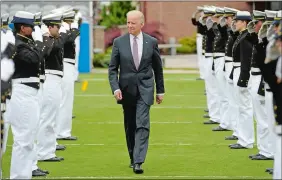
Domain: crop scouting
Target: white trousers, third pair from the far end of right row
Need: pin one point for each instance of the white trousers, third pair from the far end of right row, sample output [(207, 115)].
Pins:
[(222, 94)]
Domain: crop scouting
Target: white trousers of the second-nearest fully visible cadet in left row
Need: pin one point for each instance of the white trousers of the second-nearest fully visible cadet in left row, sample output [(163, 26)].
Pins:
[(46, 139)]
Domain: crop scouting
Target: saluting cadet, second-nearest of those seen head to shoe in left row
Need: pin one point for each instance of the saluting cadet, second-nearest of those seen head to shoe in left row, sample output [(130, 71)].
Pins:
[(52, 92)]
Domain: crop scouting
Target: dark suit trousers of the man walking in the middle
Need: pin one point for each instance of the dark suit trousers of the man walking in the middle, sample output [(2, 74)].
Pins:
[(137, 127)]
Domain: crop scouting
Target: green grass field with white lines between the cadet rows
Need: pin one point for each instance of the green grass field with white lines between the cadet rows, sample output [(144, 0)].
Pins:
[(181, 147)]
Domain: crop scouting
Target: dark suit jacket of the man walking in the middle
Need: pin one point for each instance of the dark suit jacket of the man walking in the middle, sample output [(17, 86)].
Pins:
[(132, 81)]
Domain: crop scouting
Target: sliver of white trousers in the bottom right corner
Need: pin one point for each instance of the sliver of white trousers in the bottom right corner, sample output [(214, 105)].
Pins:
[(277, 159)]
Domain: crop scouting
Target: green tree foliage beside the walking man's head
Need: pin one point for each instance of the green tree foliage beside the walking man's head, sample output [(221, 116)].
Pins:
[(115, 13)]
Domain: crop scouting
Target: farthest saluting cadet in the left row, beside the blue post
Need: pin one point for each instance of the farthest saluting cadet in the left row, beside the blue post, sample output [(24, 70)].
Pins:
[(64, 119)]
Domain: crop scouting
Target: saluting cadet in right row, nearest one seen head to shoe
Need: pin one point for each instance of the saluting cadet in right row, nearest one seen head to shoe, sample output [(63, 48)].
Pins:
[(264, 138)]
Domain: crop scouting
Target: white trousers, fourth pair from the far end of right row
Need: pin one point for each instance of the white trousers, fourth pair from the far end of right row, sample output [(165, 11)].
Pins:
[(233, 109)]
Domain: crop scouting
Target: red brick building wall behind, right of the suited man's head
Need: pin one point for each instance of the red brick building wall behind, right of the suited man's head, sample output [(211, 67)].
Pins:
[(176, 16)]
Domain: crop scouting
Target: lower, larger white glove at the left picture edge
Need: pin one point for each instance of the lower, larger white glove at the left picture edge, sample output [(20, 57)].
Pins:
[(7, 69)]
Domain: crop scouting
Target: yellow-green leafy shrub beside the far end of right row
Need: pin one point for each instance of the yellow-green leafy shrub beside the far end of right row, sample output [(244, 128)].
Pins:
[(188, 45)]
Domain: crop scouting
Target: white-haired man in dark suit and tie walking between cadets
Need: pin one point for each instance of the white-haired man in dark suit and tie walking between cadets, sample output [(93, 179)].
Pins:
[(137, 58)]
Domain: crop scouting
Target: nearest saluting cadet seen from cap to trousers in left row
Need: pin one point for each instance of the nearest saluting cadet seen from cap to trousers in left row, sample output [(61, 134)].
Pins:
[(24, 105)]
